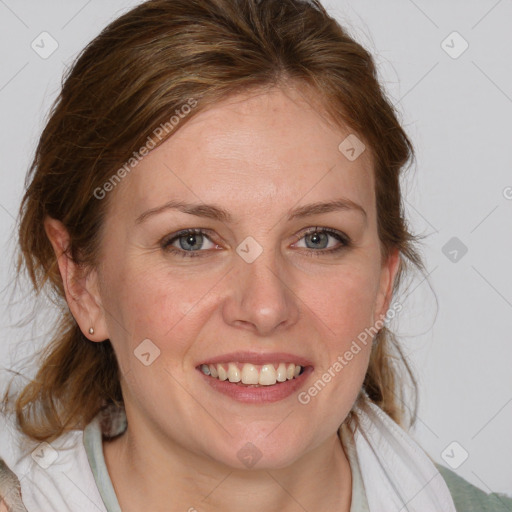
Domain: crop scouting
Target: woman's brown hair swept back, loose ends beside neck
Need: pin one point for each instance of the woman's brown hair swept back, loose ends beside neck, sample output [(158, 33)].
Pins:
[(129, 80)]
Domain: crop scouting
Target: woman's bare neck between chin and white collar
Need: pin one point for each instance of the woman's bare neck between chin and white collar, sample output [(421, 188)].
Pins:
[(148, 477)]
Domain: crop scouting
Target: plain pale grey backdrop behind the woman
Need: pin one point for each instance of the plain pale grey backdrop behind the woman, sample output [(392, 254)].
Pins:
[(447, 66)]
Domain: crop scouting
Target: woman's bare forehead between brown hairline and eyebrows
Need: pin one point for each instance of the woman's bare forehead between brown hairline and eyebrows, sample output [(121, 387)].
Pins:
[(246, 151)]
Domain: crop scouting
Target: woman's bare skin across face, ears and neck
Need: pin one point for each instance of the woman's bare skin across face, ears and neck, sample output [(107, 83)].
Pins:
[(257, 156)]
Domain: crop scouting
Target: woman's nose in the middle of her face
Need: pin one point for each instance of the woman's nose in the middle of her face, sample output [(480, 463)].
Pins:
[(261, 298)]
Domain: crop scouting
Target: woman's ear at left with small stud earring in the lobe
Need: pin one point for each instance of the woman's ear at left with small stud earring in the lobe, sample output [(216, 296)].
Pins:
[(82, 289)]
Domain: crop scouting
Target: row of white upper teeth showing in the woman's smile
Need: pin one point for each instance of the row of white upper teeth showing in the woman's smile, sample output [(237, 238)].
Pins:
[(253, 375)]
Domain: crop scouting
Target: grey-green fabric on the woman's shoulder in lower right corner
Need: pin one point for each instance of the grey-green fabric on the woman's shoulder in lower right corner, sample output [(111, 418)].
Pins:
[(468, 498)]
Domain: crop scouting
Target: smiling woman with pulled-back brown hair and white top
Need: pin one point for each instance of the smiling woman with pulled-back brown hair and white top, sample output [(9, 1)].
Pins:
[(216, 199)]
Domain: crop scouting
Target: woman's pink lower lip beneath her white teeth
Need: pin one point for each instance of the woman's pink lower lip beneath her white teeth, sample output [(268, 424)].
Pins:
[(260, 394)]
